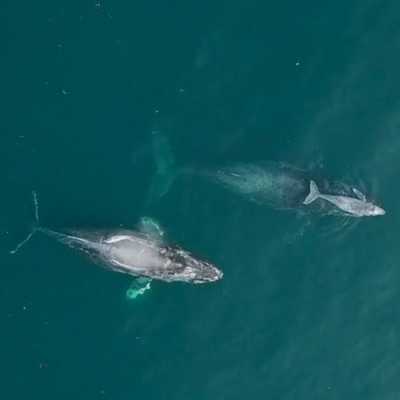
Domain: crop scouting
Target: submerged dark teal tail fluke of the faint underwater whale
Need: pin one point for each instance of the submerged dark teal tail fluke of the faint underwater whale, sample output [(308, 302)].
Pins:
[(165, 167)]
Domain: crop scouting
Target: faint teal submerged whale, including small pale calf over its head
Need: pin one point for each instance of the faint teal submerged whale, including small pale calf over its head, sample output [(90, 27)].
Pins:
[(275, 184)]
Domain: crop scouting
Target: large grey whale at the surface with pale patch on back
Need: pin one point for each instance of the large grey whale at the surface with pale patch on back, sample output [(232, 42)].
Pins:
[(141, 253)]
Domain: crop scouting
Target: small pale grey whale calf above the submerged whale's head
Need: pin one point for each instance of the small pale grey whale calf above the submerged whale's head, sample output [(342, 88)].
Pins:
[(357, 207)]
